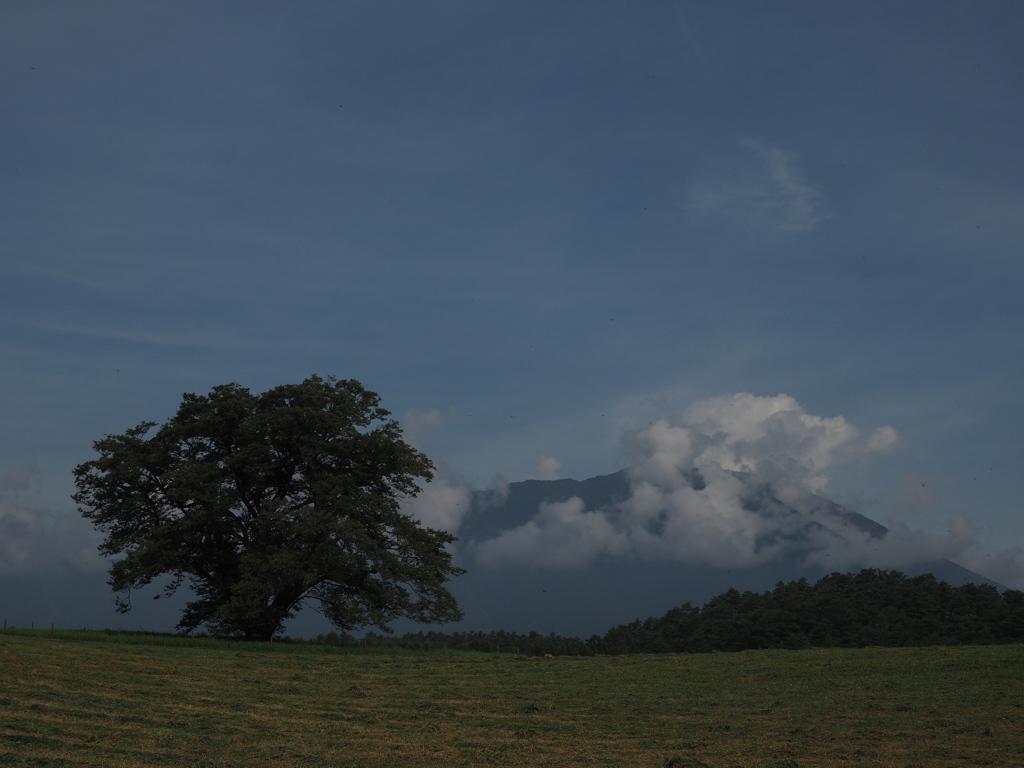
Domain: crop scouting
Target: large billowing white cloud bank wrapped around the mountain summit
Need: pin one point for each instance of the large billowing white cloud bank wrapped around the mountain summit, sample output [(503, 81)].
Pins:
[(735, 484)]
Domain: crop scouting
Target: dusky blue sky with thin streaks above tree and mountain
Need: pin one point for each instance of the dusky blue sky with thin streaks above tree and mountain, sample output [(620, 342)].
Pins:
[(532, 228)]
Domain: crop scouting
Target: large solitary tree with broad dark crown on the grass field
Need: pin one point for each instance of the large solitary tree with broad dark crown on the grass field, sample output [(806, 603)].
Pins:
[(270, 503)]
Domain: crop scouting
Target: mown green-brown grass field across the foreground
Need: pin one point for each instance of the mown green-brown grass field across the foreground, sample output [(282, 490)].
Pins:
[(73, 701)]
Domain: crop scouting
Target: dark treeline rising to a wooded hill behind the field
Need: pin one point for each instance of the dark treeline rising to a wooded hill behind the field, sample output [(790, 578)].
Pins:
[(873, 608)]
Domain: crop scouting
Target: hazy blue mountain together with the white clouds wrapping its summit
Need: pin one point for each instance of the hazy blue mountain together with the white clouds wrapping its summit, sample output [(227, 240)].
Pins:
[(731, 494)]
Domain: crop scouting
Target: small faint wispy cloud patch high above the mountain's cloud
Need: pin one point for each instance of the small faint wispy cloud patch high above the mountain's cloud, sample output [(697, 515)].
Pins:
[(770, 192)]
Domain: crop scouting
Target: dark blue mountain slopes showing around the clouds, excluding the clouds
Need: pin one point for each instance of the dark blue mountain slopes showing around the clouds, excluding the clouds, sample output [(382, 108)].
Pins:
[(531, 587)]
